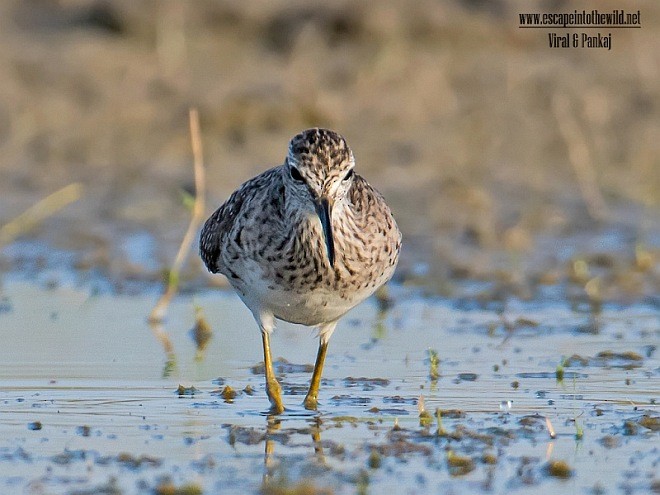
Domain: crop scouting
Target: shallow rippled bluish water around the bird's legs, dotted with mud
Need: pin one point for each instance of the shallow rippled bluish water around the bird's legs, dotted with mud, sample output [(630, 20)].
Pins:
[(89, 398)]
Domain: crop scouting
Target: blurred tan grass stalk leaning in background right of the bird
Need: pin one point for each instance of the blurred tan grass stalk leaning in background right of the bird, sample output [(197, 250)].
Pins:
[(580, 157)]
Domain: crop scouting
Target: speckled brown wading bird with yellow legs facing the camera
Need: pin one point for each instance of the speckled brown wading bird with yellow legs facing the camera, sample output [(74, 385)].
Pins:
[(303, 242)]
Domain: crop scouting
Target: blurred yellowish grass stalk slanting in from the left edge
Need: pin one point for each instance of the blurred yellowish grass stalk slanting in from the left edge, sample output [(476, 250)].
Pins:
[(38, 212)]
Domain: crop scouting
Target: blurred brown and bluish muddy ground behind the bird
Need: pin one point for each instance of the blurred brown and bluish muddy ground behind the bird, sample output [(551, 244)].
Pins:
[(510, 166)]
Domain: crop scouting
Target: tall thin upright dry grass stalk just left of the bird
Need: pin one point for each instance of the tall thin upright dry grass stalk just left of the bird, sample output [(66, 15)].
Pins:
[(158, 312)]
